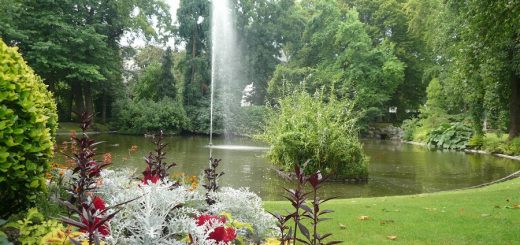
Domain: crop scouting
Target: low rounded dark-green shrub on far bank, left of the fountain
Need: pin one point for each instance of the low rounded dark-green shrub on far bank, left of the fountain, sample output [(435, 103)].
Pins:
[(147, 116)]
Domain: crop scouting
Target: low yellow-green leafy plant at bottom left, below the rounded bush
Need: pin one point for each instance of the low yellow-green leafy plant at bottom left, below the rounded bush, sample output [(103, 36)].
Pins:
[(34, 227)]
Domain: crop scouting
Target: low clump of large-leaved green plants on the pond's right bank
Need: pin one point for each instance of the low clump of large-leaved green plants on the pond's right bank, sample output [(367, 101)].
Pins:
[(450, 136)]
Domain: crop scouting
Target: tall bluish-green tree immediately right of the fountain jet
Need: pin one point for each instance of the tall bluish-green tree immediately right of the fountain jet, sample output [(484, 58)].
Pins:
[(266, 28)]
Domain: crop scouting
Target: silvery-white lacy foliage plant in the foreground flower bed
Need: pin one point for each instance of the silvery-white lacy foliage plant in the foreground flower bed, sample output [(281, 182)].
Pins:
[(165, 215)]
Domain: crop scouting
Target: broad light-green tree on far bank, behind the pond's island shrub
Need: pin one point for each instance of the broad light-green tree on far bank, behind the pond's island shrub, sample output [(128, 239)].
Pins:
[(338, 55)]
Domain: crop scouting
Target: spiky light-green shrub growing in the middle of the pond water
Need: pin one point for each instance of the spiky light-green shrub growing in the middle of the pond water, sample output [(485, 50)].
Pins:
[(305, 128)]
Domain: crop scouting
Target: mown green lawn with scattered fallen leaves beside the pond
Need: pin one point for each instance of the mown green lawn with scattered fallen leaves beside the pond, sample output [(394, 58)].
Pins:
[(489, 215)]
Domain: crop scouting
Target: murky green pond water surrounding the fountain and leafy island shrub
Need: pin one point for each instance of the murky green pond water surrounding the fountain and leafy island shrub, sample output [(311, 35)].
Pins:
[(395, 168)]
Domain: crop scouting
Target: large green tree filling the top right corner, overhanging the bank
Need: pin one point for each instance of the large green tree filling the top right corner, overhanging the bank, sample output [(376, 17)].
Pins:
[(475, 52)]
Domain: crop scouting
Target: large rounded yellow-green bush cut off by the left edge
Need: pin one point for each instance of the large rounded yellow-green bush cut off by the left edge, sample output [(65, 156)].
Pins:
[(28, 122)]
